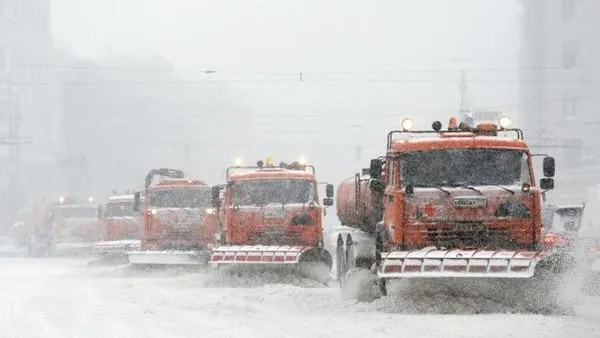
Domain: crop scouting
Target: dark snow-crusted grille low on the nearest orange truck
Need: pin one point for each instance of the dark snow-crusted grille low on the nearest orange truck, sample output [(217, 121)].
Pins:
[(469, 236)]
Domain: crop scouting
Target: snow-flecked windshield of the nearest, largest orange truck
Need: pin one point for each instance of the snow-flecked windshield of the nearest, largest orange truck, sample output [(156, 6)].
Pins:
[(470, 166)]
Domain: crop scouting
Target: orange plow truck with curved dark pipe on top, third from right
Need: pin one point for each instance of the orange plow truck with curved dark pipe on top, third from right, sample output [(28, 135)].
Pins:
[(179, 222)]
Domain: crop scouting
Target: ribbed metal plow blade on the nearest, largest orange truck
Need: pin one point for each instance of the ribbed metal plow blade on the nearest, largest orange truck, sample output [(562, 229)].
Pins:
[(433, 263)]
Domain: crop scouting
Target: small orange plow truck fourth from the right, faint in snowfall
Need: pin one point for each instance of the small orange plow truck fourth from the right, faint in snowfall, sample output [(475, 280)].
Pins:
[(123, 228)]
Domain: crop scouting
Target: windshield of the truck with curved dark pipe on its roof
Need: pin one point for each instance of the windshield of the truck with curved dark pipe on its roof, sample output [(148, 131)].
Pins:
[(180, 198)]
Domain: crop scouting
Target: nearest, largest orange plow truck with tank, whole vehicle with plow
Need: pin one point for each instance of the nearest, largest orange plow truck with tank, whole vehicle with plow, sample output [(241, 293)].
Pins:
[(459, 207)]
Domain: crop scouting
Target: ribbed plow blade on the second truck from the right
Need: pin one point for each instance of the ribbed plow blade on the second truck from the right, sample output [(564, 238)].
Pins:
[(258, 254)]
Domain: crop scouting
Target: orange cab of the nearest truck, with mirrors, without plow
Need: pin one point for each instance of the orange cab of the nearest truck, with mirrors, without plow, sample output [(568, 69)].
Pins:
[(467, 189)]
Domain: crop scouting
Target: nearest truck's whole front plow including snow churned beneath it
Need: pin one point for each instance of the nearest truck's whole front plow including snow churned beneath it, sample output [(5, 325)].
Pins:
[(527, 281)]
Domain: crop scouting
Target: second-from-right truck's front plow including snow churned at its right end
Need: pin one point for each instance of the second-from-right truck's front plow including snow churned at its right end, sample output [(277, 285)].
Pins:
[(309, 262)]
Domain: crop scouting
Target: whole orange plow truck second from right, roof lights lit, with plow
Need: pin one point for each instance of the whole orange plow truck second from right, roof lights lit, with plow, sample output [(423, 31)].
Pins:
[(273, 219)]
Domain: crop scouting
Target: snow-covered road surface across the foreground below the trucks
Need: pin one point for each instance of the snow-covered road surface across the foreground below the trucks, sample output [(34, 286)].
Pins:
[(65, 298)]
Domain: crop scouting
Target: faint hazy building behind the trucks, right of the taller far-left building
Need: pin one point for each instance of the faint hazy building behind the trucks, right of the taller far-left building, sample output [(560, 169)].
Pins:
[(123, 117)]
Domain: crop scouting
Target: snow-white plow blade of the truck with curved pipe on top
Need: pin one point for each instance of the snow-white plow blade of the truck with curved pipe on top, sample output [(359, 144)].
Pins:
[(194, 257)]
